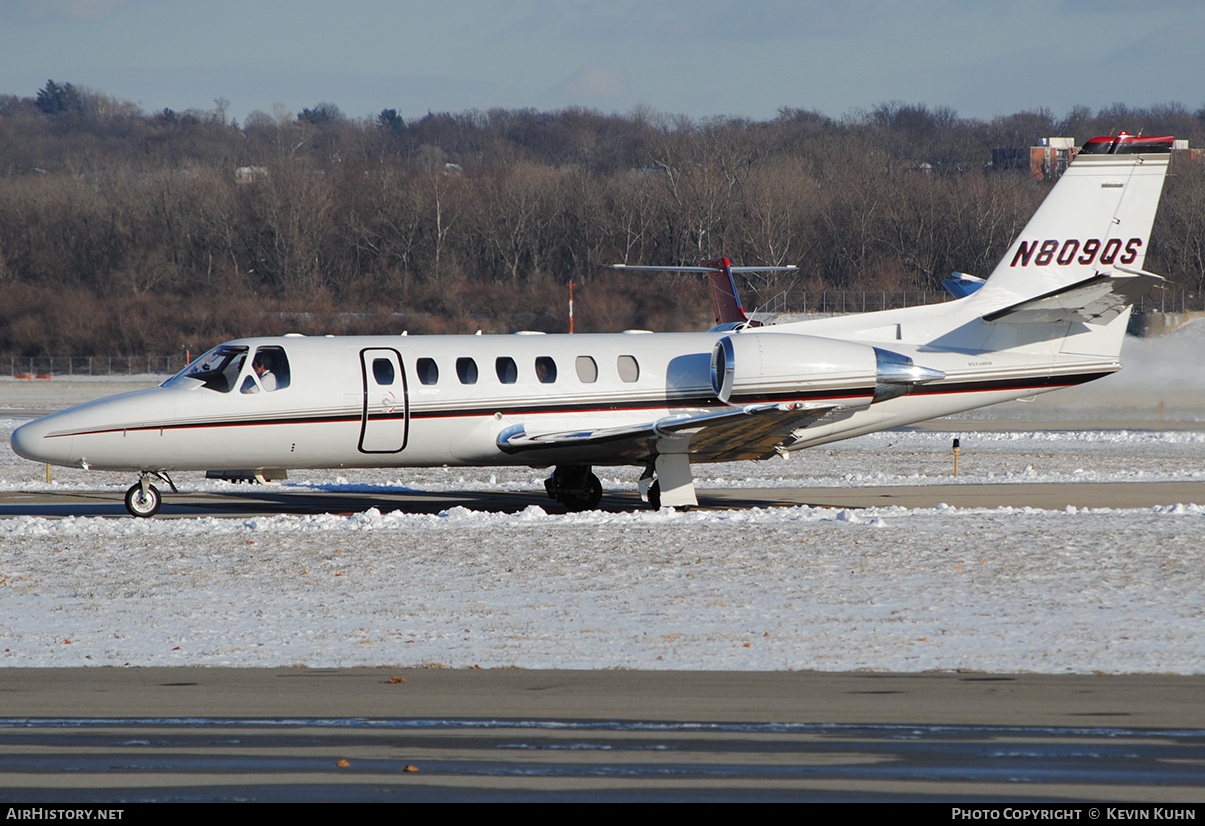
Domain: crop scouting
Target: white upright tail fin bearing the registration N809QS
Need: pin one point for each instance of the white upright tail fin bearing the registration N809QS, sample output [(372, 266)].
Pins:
[(1096, 220)]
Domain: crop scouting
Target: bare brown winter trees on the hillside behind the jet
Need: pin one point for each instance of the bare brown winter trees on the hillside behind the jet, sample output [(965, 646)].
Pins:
[(126, 232)]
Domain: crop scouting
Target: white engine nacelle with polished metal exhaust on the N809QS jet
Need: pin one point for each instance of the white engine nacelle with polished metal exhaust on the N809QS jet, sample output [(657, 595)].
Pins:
[(765, 367)]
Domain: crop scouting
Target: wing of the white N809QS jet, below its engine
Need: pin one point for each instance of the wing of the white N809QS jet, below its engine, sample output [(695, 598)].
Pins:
[(754, 432)]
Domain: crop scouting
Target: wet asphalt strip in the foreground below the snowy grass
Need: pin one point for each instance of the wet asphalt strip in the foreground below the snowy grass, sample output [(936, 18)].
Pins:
[(181, 735)]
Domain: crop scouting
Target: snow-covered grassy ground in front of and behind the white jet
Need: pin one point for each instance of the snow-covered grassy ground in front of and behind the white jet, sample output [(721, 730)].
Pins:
[(892, 589)]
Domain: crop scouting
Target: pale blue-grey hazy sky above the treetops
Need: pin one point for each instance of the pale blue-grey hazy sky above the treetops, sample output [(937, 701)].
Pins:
[(696, 57)]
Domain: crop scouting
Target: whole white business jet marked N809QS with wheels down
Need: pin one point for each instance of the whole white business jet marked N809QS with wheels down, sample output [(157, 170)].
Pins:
[(1053, 314)]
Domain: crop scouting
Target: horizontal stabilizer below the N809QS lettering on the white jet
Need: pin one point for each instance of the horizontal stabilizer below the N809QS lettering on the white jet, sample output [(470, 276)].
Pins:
[(1096, 301)]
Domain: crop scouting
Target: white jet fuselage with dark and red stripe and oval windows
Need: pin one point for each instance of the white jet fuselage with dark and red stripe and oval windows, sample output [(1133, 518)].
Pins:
[(434, 401)]
